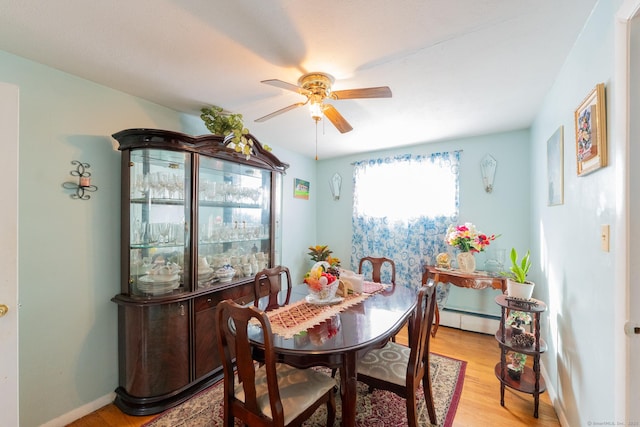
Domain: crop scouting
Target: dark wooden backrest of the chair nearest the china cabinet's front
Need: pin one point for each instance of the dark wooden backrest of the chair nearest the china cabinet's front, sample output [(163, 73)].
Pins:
[(233, 344)]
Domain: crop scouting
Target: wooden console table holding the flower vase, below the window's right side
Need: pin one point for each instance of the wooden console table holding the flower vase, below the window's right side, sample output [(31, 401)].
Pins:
[(475, 280)]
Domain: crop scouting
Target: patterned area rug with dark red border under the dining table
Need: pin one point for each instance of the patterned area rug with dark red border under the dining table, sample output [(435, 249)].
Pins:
[(378, 409)]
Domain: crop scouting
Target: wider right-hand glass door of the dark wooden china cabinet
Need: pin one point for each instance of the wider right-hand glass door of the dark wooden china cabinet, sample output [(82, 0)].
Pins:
[(234, 221)]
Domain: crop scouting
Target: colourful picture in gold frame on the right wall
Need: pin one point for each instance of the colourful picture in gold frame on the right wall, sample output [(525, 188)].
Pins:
[(591, 132)]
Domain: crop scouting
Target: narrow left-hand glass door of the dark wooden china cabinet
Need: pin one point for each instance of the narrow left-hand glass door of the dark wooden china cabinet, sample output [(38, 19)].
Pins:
[(158, 218)]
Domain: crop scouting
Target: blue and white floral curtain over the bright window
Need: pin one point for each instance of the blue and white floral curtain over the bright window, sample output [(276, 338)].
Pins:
[(402, 208)]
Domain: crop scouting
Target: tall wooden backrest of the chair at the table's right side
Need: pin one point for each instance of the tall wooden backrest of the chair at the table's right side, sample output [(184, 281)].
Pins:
[(420, 334)]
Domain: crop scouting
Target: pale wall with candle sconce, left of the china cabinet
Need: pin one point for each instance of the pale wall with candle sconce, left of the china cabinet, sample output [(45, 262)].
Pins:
[(69, 250)]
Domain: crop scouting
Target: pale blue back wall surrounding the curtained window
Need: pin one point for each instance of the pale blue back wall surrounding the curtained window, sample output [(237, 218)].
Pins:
[(504, 211)]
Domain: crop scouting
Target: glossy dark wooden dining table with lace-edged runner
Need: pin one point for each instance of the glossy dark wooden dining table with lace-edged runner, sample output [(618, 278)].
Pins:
[(337, 335)]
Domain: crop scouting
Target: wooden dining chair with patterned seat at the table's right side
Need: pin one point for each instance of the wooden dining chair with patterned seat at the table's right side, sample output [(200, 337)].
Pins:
[(400, 369)]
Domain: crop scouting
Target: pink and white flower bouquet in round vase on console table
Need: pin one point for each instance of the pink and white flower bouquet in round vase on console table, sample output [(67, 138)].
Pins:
[(468, 240)]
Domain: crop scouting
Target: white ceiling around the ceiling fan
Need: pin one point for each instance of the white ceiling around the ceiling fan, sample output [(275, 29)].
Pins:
[(456, 67)]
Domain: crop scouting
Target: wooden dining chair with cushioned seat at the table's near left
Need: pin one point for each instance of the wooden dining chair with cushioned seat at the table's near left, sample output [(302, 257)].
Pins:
[(272, 394)]
